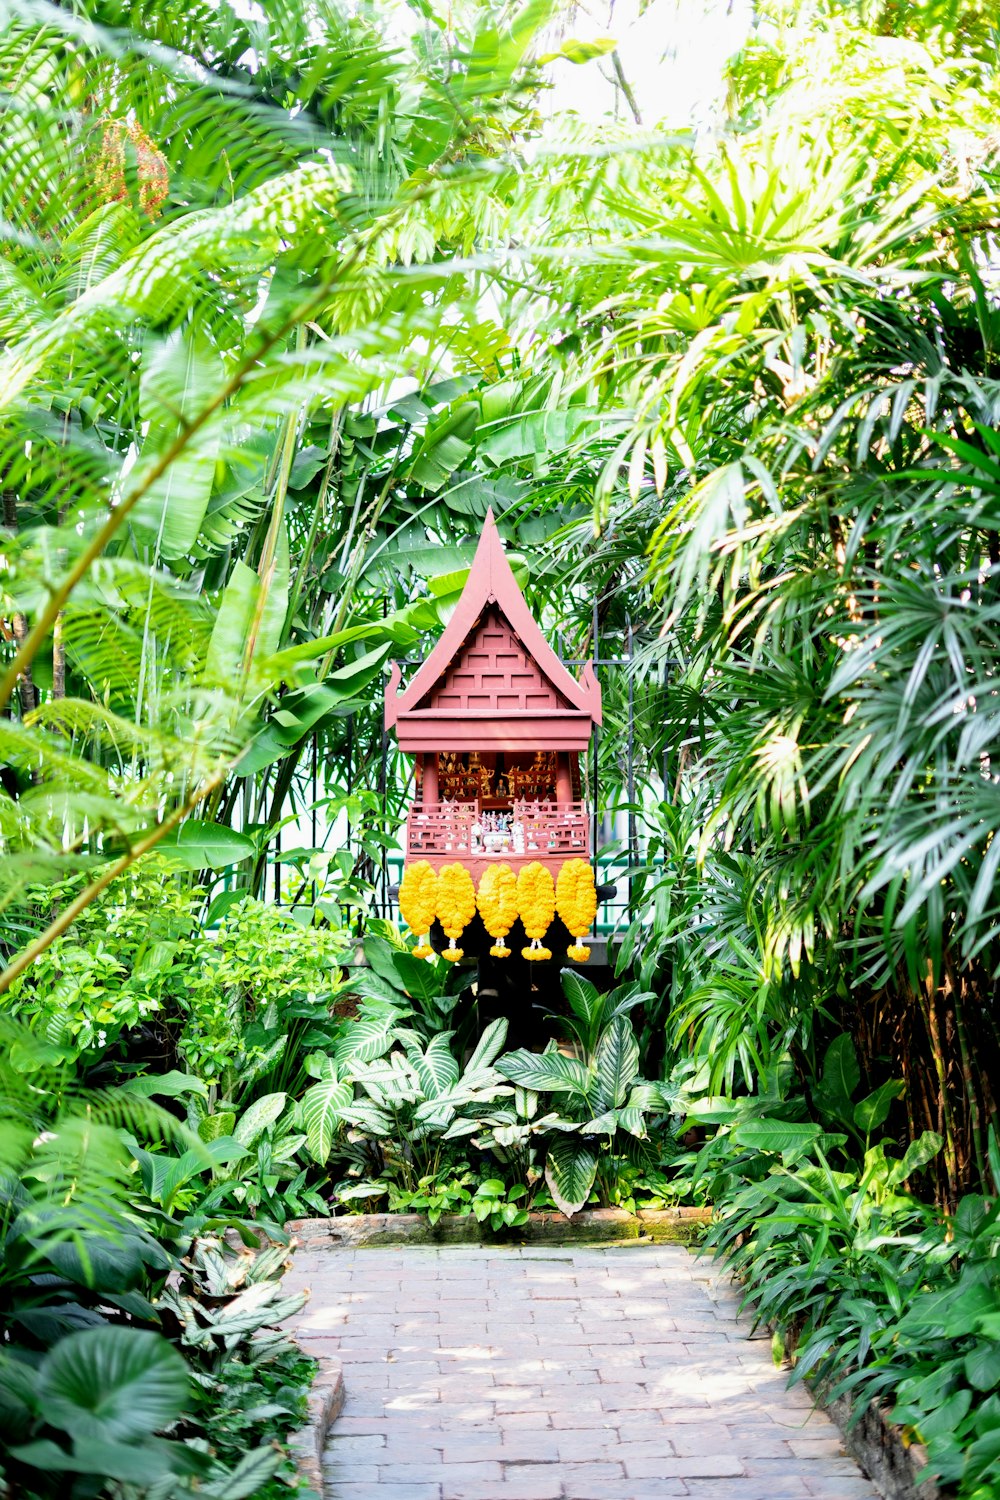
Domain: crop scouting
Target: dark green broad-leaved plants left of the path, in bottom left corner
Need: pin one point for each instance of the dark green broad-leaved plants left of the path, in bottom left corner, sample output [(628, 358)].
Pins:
[(110, 1373)]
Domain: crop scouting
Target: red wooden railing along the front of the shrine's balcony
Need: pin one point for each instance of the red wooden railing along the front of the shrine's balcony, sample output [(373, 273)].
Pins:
[(533, 830)]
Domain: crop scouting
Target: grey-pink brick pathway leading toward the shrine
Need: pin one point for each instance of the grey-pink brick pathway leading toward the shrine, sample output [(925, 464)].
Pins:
[(557, 1375)]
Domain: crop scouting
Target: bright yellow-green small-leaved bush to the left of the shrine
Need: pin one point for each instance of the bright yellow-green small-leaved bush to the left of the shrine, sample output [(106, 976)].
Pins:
[(139, 983)]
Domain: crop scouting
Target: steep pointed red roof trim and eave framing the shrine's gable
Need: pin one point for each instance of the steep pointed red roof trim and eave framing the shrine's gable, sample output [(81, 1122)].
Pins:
[(491, 581)]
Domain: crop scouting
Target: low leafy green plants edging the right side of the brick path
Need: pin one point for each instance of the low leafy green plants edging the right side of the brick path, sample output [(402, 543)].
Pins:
[(876, 1294)]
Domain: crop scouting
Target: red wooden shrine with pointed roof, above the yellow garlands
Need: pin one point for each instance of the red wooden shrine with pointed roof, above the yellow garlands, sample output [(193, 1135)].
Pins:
[(497, 727)]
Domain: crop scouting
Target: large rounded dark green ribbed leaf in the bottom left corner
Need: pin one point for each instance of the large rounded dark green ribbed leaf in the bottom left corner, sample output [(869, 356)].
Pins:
[(113, 1384)]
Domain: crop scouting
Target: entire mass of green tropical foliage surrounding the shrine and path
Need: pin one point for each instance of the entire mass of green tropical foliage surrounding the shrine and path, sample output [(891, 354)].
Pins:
[(740, 392)]
